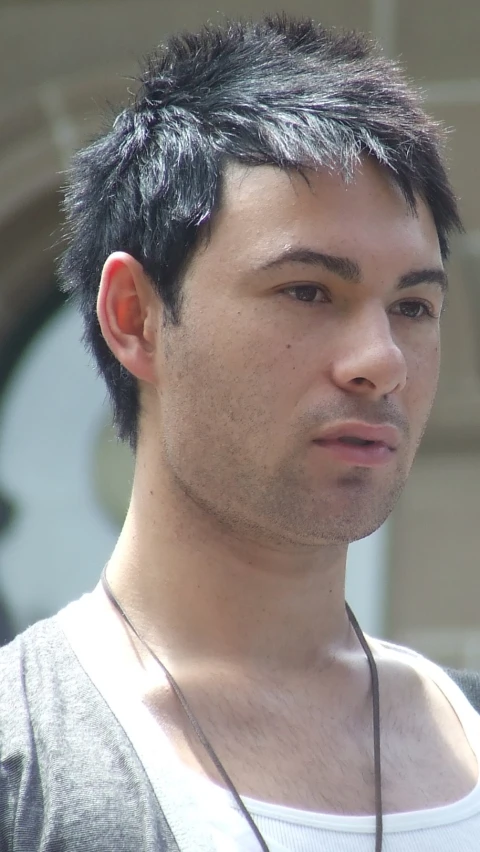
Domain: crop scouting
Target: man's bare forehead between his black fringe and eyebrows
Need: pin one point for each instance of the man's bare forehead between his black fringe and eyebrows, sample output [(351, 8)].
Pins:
[(265, 209)]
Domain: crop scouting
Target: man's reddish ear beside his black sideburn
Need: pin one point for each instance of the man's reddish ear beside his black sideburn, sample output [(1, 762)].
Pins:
[(128, 311)]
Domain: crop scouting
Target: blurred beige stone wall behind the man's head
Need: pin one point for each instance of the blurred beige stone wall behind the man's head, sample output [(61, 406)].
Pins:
[(59, 62)]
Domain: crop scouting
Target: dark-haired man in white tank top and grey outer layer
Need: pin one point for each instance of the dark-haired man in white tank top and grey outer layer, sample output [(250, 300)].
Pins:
[(257, 246)]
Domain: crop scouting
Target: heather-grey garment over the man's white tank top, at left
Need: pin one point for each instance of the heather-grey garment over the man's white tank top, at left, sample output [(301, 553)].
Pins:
[(57, 734)]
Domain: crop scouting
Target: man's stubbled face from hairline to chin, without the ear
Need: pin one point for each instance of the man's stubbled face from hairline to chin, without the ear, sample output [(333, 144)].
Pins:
[(270, 355)]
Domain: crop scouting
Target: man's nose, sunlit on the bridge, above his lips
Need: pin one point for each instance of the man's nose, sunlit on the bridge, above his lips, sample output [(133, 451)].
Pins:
[(368, 361)]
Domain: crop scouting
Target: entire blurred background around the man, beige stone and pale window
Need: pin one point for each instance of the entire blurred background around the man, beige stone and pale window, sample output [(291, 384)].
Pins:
[(64, 479)]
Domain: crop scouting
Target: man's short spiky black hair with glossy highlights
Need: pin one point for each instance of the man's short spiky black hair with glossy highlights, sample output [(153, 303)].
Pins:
[(282, 91)]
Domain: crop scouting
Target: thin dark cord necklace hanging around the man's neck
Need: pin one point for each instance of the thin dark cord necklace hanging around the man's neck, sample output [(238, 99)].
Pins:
[(209, 748)]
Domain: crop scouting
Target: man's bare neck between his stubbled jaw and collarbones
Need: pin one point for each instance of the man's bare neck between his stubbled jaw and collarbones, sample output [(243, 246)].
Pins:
[(197, 591)]
